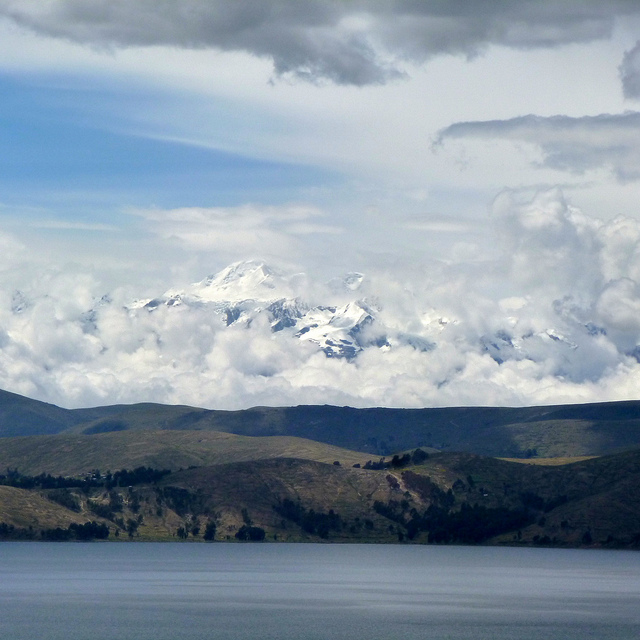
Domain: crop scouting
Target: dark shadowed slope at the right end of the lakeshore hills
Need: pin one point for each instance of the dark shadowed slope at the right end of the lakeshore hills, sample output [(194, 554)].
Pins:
[(597, 496)]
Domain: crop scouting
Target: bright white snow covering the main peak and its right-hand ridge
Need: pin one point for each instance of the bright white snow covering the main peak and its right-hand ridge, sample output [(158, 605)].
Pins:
[(245, 291)]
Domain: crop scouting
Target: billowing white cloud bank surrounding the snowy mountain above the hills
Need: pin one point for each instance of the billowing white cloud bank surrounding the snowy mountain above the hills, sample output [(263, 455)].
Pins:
[(554, 318)]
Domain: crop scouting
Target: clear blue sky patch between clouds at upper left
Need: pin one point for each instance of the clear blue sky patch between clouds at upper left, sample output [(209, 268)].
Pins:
[(70, 146)]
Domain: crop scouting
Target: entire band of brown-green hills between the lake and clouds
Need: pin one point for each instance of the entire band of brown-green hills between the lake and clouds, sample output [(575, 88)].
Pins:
[(271, 472)]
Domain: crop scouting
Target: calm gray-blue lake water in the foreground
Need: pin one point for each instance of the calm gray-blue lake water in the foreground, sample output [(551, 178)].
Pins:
[(139, 591)]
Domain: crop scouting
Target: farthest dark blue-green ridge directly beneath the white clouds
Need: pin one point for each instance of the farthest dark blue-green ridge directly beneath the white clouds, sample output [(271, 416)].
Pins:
[(549, 431)]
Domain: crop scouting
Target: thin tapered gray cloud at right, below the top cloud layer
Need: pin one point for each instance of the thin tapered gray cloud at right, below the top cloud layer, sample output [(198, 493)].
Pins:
[(568, 144)]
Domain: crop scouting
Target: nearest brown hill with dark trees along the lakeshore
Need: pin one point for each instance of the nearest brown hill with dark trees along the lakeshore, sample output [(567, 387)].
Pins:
[(447, 498)]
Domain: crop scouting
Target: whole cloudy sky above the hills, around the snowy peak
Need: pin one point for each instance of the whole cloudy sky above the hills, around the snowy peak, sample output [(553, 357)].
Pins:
[(478, 161)]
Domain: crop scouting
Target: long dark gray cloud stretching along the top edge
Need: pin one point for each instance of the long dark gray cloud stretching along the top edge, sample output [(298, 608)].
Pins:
[(345, 41)]
